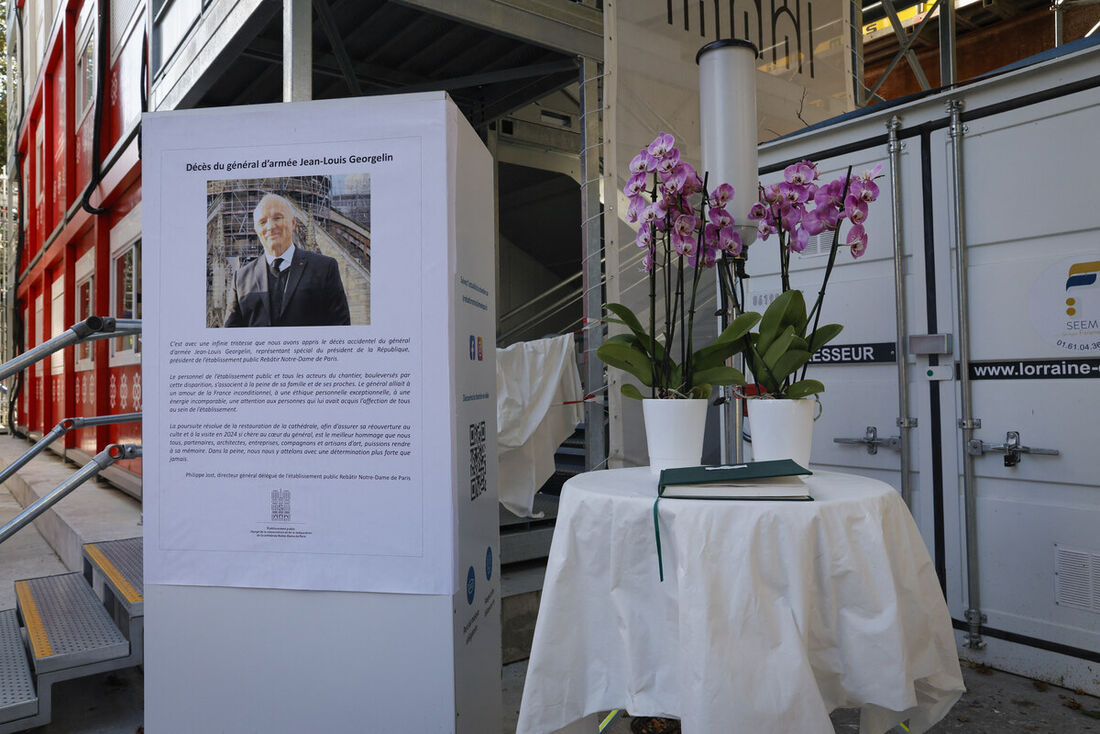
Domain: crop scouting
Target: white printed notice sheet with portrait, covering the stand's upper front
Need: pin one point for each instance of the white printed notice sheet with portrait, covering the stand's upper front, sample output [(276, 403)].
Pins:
[(300, 365)]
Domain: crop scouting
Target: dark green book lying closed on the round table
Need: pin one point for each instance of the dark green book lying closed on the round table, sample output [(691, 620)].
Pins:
[(755, 480)]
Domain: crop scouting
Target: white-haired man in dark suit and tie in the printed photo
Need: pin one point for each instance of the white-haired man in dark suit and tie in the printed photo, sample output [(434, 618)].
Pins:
[(289, 287)]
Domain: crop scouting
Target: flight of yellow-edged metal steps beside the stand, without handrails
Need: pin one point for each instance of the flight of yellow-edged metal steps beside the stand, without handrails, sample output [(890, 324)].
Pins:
[(63, 630)]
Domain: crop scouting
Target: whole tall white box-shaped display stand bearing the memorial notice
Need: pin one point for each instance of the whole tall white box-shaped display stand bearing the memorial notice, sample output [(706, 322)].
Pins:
[(322, 529)]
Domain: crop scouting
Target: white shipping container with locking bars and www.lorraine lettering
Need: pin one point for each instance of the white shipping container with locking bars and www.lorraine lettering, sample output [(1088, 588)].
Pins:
[(1026, 564)]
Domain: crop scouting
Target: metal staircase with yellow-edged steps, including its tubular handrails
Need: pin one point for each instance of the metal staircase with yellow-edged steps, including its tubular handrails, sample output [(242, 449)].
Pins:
[(70, 626)]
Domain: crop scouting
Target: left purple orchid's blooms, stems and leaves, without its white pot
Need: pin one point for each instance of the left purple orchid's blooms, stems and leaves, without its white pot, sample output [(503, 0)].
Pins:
[(684, 229)]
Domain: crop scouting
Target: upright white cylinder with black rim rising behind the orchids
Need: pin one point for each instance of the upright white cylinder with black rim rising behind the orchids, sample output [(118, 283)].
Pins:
[(729, 124)]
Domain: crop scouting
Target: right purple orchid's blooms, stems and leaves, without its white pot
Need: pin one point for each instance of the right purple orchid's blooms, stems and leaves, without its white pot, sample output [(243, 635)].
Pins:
[(795, 211)]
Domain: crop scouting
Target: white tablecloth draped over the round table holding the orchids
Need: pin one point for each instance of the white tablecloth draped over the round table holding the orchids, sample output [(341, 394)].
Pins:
[(772, 615)]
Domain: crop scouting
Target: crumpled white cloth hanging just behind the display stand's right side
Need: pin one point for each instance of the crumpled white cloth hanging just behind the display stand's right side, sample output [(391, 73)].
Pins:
[(538, 388)]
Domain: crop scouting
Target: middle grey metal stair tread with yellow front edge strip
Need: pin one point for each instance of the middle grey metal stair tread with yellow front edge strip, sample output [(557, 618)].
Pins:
[(67, 623)]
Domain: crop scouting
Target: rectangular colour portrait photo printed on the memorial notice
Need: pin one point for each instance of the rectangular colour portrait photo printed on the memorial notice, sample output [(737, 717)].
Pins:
[(289, 251)]
